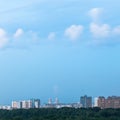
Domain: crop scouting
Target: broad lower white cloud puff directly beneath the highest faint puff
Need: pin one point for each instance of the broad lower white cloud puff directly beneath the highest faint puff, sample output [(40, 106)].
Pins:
[(100, 30)]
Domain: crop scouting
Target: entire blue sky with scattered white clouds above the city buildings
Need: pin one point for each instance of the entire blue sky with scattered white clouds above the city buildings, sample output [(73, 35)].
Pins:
[(59, 48)]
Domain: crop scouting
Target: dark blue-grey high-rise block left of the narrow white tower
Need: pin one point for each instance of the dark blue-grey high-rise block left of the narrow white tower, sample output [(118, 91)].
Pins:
[(86, 101)]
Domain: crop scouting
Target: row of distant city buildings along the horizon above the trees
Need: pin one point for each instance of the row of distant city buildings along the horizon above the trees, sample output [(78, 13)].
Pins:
[(84, 102)]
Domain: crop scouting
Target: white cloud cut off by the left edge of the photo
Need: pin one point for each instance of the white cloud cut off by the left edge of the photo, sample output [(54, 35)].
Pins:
[(3, 38)]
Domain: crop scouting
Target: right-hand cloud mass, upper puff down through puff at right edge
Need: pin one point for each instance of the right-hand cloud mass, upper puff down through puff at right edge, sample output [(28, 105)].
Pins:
[(101, 31)]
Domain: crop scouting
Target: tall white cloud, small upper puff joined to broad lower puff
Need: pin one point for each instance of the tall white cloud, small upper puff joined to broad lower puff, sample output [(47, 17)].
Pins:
[(98, 30)]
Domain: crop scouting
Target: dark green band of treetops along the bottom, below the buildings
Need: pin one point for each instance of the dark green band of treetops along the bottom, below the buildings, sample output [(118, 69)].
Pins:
[(61, 114)]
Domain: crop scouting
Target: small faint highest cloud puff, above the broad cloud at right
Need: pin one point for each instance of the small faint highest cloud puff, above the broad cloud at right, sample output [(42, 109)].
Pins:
[(95, 14)]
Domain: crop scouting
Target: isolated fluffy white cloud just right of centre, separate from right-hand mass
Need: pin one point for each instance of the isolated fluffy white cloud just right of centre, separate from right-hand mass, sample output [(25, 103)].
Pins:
[(74, 31)]
